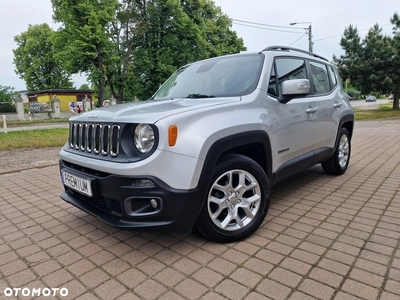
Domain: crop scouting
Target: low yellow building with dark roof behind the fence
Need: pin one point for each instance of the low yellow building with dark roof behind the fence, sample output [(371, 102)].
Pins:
[(67, 98)]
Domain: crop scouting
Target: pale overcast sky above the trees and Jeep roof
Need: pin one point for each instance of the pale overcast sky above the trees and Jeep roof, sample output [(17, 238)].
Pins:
[(328, 19)]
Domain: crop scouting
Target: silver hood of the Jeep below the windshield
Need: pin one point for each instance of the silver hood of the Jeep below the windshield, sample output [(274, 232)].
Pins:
[(149, 111)]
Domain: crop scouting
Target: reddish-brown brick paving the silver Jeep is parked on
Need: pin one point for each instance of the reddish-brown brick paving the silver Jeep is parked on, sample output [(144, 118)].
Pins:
[(325, 237)]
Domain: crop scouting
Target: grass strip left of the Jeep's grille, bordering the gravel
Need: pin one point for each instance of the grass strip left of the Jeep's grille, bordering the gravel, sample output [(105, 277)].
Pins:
[(33, 138)]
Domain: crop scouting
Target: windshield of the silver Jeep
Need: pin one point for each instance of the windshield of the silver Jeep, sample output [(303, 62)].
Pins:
[(234, 75)]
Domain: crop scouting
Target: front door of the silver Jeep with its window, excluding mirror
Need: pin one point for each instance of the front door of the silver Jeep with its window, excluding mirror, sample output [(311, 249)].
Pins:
[(295, 121)]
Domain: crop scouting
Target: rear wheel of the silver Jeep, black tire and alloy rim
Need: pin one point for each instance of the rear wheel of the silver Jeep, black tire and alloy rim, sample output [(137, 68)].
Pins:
[(338, 163)]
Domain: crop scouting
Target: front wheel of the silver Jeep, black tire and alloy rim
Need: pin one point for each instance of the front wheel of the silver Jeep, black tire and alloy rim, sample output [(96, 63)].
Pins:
[(237, 200)]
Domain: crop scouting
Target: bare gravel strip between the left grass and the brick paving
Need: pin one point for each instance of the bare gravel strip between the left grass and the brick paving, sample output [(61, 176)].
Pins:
[(22, 159)]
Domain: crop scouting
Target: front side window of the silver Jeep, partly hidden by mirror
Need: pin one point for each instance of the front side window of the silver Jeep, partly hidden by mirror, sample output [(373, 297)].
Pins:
[(286, 69)]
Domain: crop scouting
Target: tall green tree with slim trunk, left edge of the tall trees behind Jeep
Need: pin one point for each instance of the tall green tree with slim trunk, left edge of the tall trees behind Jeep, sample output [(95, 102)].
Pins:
[(83, 41)]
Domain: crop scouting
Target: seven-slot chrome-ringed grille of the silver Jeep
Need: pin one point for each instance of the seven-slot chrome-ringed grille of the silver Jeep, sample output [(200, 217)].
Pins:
[(95, 138)]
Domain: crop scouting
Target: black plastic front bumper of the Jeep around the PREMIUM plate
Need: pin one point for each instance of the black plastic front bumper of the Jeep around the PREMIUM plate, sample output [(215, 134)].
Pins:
[(120, 202)]
